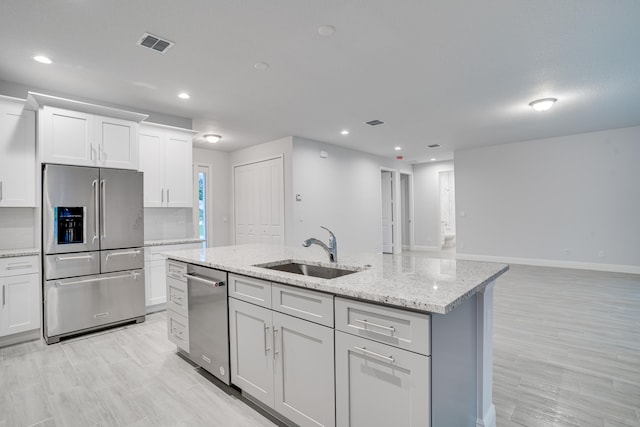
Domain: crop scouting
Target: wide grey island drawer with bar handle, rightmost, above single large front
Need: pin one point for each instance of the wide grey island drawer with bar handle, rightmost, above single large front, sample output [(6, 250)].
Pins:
[(400, 328)]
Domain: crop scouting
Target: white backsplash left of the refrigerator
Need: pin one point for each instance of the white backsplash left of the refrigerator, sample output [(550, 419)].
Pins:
[(17, 228)]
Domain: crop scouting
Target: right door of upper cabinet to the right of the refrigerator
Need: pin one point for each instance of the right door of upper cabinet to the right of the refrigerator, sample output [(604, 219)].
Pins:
[(178, 175)]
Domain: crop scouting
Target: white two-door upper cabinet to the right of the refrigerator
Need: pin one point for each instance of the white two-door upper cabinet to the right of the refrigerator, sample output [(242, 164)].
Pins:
[(165, 158)]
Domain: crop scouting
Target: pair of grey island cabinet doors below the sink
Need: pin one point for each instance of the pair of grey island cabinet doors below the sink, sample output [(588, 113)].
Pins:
[(284, 362)]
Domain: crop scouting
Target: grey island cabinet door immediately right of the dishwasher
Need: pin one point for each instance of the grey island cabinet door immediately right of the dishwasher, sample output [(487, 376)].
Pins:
[(251, 340)]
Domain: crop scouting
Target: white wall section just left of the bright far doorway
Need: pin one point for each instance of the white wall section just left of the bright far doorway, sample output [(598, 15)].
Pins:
[(426, 184)]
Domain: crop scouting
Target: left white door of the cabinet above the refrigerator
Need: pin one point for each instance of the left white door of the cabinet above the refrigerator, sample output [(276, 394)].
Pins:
[(68, 137)]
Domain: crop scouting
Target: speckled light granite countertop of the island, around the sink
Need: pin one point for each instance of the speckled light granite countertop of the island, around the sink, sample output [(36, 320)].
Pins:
[(410, 281)]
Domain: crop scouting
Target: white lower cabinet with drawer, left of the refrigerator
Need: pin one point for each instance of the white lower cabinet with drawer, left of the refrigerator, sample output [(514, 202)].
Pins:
[(20, 295)]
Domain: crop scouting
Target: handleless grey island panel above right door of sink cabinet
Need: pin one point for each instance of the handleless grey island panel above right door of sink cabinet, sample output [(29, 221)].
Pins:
[(306, 304)]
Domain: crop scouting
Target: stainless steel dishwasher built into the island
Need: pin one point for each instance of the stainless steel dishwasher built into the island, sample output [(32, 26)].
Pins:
[(208, 320)]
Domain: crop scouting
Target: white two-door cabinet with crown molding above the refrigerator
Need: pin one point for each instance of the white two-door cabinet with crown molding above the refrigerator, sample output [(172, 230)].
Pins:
[(77, 133)]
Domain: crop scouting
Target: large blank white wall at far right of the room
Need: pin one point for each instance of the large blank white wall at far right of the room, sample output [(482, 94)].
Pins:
[(562, 200)]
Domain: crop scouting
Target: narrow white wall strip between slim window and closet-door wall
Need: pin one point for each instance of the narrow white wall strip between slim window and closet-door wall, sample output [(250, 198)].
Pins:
[(220, 181)]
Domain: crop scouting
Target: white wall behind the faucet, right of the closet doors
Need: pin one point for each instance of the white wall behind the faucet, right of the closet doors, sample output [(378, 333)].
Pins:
[(341, 192)]
